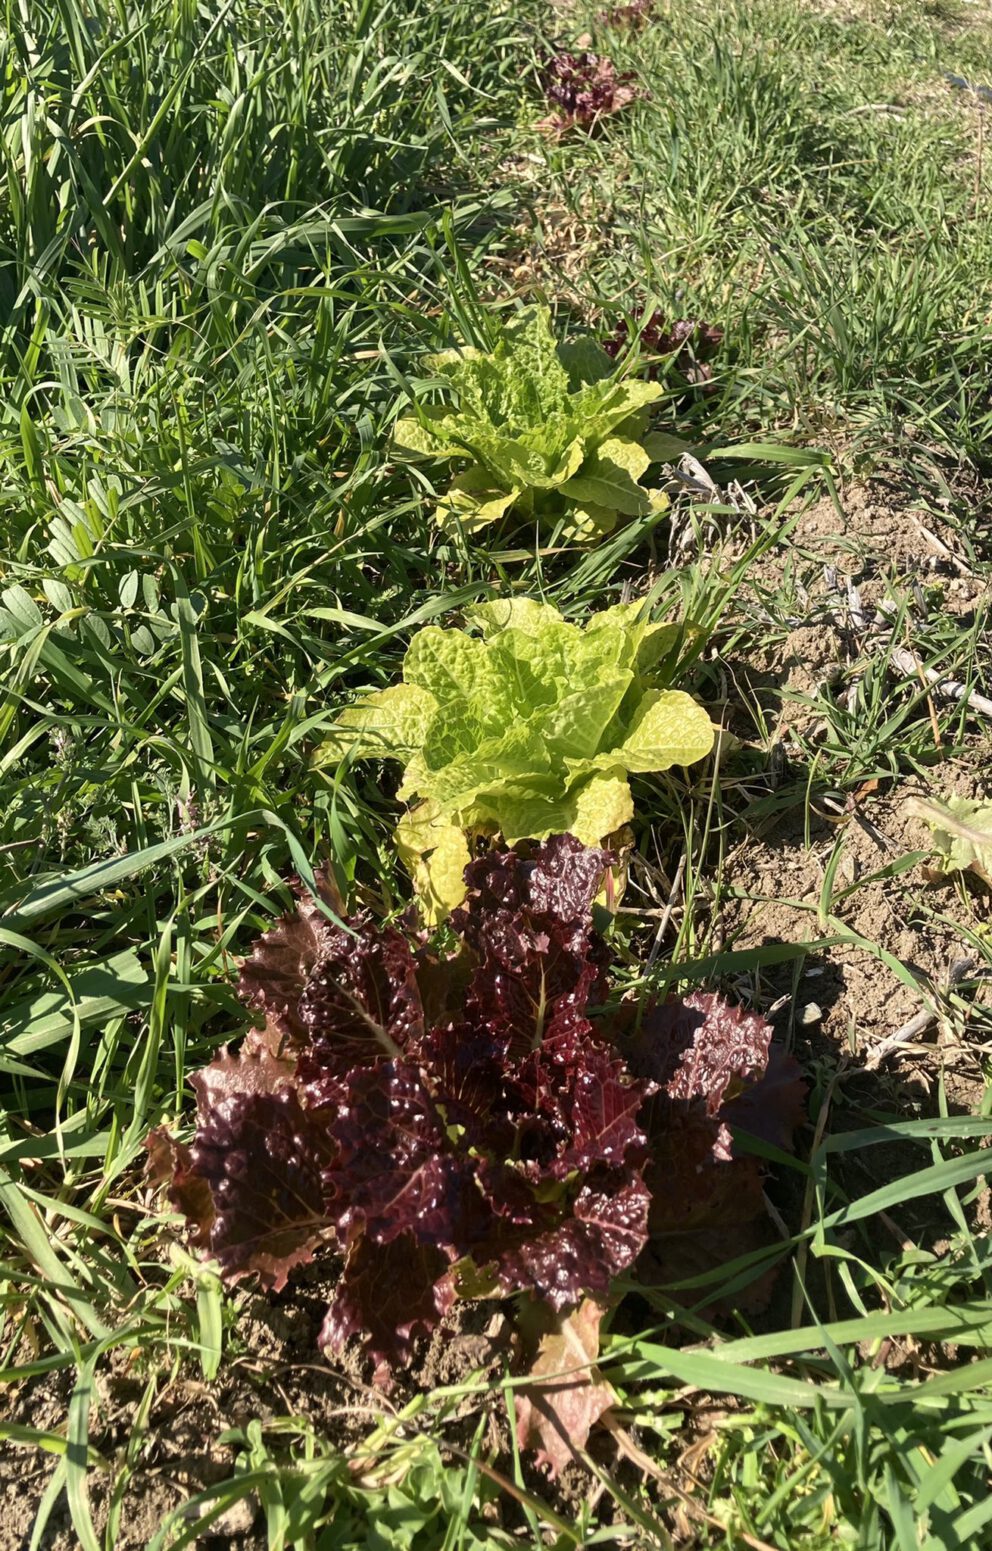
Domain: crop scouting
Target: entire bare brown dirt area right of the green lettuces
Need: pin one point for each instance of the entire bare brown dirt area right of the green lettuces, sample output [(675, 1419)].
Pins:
[(810, 854)]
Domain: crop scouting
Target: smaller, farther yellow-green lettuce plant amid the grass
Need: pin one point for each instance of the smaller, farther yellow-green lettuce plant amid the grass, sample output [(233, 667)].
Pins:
[(548, 432)]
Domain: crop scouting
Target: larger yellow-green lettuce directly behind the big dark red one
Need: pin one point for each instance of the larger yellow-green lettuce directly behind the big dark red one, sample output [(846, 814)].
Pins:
[(526, 730)]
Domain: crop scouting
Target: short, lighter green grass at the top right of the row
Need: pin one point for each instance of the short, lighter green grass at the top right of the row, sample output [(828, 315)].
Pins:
[(805, 178)]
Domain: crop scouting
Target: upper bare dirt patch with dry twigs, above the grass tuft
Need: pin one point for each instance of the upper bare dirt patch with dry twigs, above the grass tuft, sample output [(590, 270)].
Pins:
[(853, 587)]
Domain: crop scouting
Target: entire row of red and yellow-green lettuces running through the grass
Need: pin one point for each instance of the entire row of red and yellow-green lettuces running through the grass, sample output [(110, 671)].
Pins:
[(463, 1105)]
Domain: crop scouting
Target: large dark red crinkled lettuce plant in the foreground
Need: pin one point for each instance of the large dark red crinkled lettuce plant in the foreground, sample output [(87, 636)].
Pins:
[(509, 1147)]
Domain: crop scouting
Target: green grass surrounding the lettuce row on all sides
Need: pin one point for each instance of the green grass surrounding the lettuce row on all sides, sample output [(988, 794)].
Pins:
[(226, 241)]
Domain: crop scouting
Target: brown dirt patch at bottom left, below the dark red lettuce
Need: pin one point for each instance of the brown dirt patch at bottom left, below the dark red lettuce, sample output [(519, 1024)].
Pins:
[(275, 1370)]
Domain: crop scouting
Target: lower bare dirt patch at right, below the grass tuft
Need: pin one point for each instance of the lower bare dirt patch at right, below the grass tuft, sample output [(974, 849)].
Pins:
[(852, 997)]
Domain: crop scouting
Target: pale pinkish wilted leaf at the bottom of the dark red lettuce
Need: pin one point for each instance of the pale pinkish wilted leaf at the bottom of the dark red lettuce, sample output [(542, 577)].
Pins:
[(565, 1397)]
